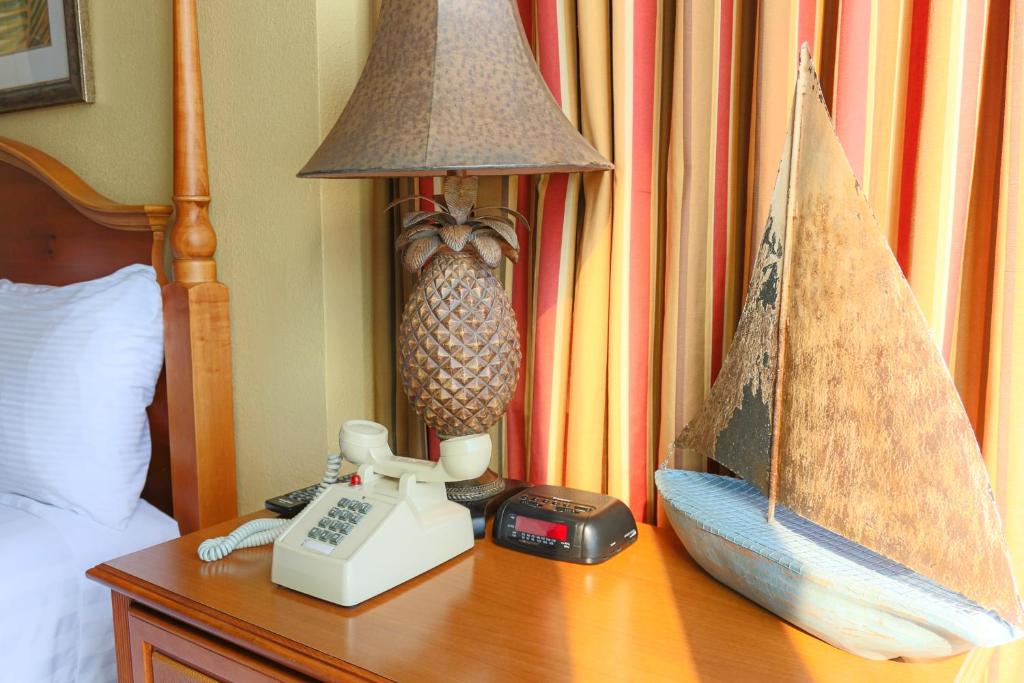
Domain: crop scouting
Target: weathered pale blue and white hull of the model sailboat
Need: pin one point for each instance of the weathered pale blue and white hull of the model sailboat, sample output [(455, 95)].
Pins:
[(829, 586)]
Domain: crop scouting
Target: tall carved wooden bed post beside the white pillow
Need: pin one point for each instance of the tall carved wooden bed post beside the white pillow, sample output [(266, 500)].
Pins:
[(197, 326)]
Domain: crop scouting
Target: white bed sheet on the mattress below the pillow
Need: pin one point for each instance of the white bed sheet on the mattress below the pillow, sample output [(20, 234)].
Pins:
[(56, 625)]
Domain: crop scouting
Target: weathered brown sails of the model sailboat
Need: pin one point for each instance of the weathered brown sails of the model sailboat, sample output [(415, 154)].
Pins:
[(835, 385)]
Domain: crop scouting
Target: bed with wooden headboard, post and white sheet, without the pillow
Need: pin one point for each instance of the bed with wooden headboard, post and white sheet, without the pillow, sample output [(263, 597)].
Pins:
[(57, 231)]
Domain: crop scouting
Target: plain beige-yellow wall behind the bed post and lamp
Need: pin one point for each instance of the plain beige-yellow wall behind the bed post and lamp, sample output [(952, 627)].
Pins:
[(294, 253)]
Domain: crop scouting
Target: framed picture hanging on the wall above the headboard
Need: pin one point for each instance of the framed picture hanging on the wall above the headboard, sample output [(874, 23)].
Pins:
[(45, 58)]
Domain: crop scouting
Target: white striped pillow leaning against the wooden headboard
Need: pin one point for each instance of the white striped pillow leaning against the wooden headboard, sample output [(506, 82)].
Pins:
[(78, 368)]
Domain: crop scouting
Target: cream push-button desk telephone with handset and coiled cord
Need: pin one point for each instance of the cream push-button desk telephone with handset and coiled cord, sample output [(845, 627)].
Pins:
[(391, 524)]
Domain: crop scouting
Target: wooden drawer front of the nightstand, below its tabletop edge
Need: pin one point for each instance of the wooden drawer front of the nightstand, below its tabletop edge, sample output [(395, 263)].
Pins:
[(166, 652)]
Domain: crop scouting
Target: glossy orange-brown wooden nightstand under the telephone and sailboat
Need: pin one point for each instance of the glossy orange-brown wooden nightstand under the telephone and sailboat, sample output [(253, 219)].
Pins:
[(651, 614)]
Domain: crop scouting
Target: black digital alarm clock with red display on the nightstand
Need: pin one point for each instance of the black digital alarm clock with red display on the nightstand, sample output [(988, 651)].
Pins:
[(565, 525)]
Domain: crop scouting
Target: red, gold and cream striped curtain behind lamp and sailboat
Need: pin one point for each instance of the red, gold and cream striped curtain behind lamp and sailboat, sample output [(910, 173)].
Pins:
[(631, 284)]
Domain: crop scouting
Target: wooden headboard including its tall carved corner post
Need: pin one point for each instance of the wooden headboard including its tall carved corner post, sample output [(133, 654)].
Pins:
[(56, 230)]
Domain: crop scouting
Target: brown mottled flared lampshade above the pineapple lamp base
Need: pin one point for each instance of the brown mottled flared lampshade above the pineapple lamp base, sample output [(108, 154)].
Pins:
[(451, 86)]
